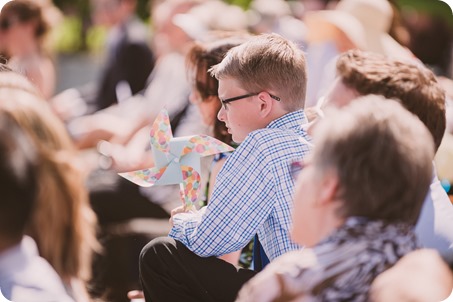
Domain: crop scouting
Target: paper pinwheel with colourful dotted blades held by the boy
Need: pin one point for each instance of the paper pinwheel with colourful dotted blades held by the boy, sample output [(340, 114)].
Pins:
[(177, 160)]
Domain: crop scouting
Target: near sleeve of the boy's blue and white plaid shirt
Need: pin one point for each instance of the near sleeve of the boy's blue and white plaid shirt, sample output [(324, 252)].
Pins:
[(241, 202)]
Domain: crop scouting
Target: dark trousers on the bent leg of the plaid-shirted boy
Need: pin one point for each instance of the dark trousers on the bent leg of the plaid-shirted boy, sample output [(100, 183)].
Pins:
[(171, 272)]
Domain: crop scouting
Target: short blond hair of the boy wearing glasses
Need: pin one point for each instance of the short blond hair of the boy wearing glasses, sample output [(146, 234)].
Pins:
[(268, 62)]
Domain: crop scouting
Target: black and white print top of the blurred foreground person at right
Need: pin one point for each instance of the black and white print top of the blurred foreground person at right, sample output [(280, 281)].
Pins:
[(339, 268)]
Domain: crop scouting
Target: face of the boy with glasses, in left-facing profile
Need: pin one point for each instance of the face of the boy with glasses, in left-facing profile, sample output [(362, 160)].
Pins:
[(241, 116)]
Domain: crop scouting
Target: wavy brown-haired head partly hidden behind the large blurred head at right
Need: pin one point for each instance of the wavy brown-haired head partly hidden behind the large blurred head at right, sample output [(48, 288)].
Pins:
[(415, 86)]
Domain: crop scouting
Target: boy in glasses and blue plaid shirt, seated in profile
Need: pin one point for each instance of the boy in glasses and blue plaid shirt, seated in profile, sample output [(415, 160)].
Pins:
[(262, 86)]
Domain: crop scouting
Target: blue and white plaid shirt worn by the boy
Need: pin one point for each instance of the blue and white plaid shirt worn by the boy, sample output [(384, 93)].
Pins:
[(252, 194)]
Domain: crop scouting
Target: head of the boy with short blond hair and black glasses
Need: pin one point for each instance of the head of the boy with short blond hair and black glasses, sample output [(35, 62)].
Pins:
[(260, 81)]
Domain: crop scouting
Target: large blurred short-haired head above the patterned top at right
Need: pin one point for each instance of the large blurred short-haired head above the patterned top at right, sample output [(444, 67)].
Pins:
[(373, 160)]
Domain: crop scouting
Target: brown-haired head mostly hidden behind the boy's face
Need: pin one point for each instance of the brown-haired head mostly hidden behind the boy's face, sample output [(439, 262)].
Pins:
[(201, 57)]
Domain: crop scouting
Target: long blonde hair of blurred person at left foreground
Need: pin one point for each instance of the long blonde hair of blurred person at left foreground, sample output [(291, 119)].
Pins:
[(63, 223)]
